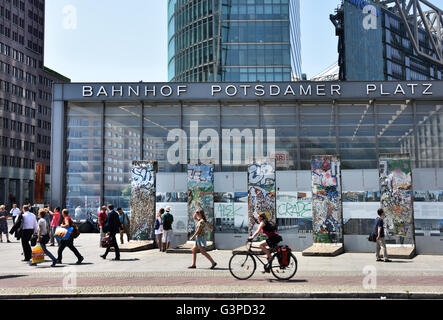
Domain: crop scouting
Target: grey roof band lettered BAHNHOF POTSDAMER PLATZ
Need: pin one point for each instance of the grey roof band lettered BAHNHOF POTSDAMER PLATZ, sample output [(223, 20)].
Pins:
[(295, 90)]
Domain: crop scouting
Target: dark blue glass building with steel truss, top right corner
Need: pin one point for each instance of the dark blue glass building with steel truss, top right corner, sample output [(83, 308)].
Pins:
[(384, 53)]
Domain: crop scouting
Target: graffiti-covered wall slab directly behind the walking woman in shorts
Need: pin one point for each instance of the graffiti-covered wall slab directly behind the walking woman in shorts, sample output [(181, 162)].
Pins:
[(200, 195)]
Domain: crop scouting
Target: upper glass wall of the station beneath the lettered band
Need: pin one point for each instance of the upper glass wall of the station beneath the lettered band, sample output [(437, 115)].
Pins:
[(103, 138)]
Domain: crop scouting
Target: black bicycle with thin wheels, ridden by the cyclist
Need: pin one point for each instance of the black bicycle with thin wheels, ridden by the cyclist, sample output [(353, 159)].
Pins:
[(242, 265)]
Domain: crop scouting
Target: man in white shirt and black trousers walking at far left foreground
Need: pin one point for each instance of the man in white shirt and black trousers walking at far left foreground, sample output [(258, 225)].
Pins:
[(26, 226)]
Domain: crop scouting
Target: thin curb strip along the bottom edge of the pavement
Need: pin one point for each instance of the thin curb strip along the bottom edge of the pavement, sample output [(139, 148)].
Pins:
[(325, 295)]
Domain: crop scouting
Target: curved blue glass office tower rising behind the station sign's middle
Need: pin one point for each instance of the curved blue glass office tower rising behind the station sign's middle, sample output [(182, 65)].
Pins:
[(234, 40)]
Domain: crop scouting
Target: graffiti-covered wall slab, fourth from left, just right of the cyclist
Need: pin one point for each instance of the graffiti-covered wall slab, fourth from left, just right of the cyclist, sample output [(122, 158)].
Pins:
[(327, 211)]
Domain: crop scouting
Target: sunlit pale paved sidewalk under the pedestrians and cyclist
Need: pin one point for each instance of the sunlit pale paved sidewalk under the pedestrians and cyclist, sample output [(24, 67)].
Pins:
[(153, 273)]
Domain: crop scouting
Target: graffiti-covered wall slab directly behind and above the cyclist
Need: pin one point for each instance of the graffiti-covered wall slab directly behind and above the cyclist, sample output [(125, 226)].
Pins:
[(261, 191)]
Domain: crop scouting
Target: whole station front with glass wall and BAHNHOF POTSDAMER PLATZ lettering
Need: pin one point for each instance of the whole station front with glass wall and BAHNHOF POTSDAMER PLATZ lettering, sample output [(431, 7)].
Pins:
[(100, 129)]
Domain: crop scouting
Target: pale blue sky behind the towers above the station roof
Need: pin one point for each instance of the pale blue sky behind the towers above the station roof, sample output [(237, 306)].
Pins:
[(114, 40)]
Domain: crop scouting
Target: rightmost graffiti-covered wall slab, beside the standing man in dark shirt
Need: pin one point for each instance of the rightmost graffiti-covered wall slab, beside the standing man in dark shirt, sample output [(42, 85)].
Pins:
[(397, 198)]
